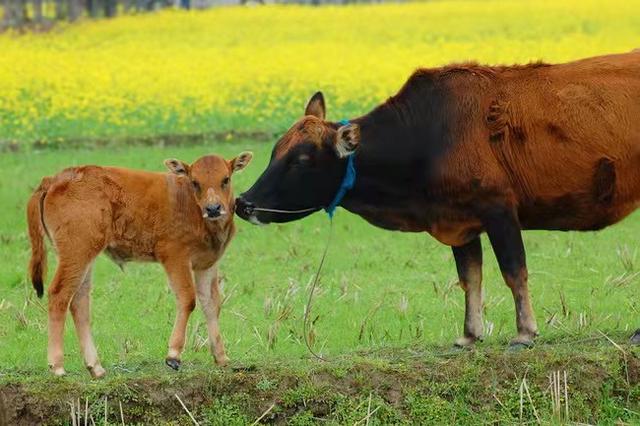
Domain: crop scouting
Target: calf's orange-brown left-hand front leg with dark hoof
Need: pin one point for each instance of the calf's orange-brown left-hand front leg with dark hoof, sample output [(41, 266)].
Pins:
[(181, 282)]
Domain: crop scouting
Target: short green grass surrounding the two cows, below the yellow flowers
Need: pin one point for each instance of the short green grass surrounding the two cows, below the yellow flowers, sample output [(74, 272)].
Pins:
[(381, 292)]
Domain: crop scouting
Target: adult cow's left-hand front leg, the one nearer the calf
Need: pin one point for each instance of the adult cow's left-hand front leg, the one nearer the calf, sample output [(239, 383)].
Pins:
[(469, 265)]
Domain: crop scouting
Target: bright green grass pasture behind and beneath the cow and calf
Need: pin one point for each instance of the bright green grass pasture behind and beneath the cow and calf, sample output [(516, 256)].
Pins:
[(386, 296)]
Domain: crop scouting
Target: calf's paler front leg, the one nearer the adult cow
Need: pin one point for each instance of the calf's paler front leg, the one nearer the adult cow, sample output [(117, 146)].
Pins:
[(208, 290)]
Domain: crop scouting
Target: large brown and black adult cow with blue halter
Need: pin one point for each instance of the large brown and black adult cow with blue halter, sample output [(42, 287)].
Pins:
[(467, 149)]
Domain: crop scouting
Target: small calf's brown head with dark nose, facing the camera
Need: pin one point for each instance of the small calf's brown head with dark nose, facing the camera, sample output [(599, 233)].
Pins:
[(210, 182)]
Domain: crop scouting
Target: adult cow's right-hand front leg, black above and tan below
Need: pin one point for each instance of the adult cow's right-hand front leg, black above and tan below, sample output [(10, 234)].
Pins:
[(503, 229)]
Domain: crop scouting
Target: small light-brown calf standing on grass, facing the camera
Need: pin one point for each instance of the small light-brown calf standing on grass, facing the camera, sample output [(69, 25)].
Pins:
[(182, 219)]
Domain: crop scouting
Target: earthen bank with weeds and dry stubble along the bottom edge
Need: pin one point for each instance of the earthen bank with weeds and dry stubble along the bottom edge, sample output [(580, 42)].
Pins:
[(394, 386)]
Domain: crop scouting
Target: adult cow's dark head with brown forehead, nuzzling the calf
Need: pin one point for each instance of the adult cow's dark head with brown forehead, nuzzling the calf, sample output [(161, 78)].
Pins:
[(305, 170)]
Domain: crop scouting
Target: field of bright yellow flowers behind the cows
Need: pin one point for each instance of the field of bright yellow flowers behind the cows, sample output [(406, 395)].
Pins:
[(252, 68)]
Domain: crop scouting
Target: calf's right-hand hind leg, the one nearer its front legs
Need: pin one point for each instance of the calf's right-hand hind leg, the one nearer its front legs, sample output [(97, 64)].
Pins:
[(81, 312)]
